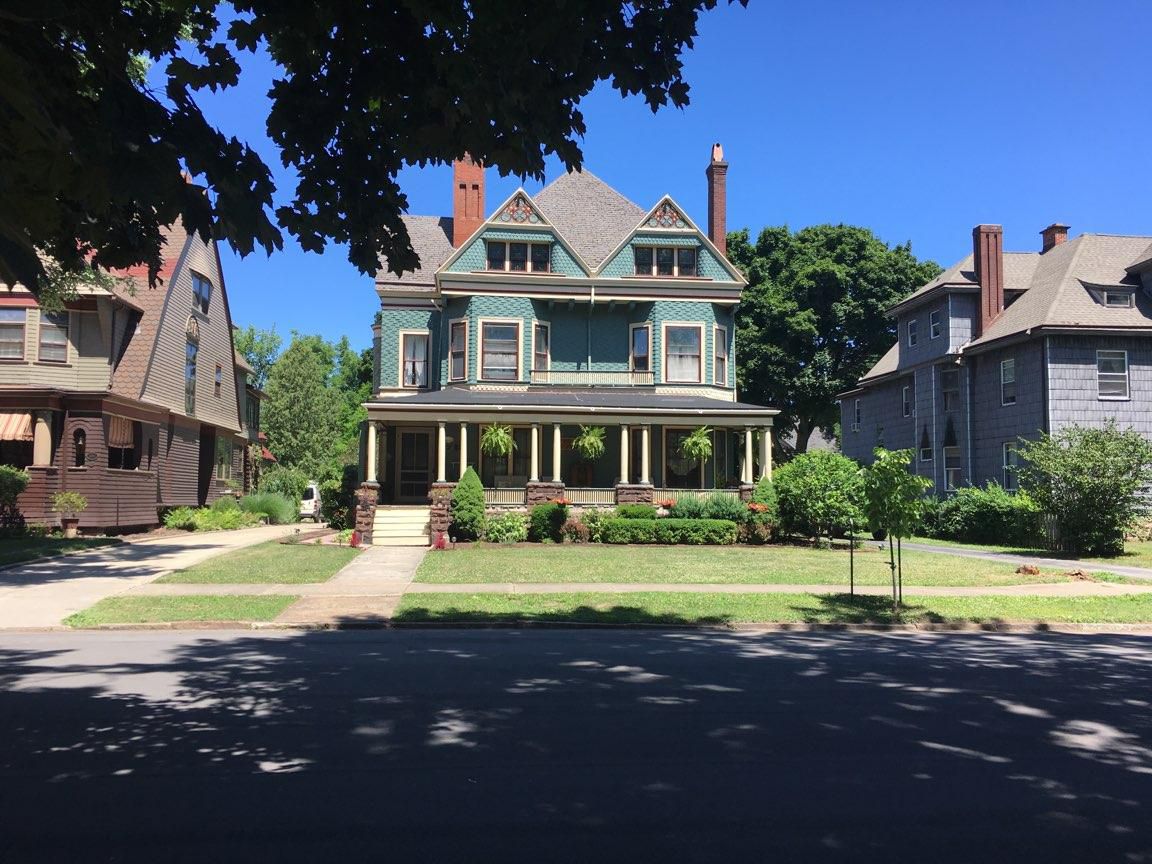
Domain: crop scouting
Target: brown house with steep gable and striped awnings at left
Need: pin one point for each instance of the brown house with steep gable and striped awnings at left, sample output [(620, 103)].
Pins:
[(131, 397)]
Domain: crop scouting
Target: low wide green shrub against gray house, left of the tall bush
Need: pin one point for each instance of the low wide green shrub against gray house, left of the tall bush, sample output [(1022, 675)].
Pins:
[(990, 516)]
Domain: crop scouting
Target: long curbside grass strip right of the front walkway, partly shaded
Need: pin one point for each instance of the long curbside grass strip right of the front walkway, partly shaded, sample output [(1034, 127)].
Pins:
[(687, 609)]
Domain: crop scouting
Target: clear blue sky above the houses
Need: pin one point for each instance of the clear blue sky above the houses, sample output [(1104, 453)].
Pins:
[(918, 120)]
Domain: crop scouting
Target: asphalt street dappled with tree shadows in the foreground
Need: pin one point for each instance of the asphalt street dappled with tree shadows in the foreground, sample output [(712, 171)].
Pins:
[(574, 746)]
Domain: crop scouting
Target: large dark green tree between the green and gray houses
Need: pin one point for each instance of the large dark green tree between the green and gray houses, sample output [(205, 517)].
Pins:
[(813, 319)]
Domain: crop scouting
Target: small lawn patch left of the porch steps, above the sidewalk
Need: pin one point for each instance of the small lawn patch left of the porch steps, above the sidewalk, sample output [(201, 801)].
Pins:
[(277, 563)]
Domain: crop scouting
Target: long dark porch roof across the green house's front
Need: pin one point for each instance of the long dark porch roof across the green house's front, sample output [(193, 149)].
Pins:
[(609, 404)]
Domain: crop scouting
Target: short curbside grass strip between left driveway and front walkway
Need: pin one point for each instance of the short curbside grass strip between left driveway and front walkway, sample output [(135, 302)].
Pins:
[(207, 608)]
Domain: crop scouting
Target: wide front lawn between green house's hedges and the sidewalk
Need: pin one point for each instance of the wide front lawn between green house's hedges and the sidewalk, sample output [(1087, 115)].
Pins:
[(721, 565)]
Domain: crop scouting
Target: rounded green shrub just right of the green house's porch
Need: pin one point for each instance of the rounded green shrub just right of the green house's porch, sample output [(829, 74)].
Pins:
[(818, 495)]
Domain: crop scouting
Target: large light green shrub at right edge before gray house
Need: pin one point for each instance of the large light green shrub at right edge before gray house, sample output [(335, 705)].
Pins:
[(1092, 482)]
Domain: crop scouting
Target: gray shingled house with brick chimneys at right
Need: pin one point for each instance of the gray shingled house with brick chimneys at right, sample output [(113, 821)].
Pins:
[(1006, 345)]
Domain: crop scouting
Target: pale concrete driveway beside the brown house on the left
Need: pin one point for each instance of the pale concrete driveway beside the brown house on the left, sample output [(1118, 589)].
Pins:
[(43, 594)]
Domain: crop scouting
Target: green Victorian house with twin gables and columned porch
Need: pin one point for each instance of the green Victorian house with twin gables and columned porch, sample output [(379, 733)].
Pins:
[(573, 308)]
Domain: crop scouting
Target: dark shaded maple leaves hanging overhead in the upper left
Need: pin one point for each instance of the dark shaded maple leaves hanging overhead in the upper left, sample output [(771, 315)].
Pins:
[(92, 160)]
